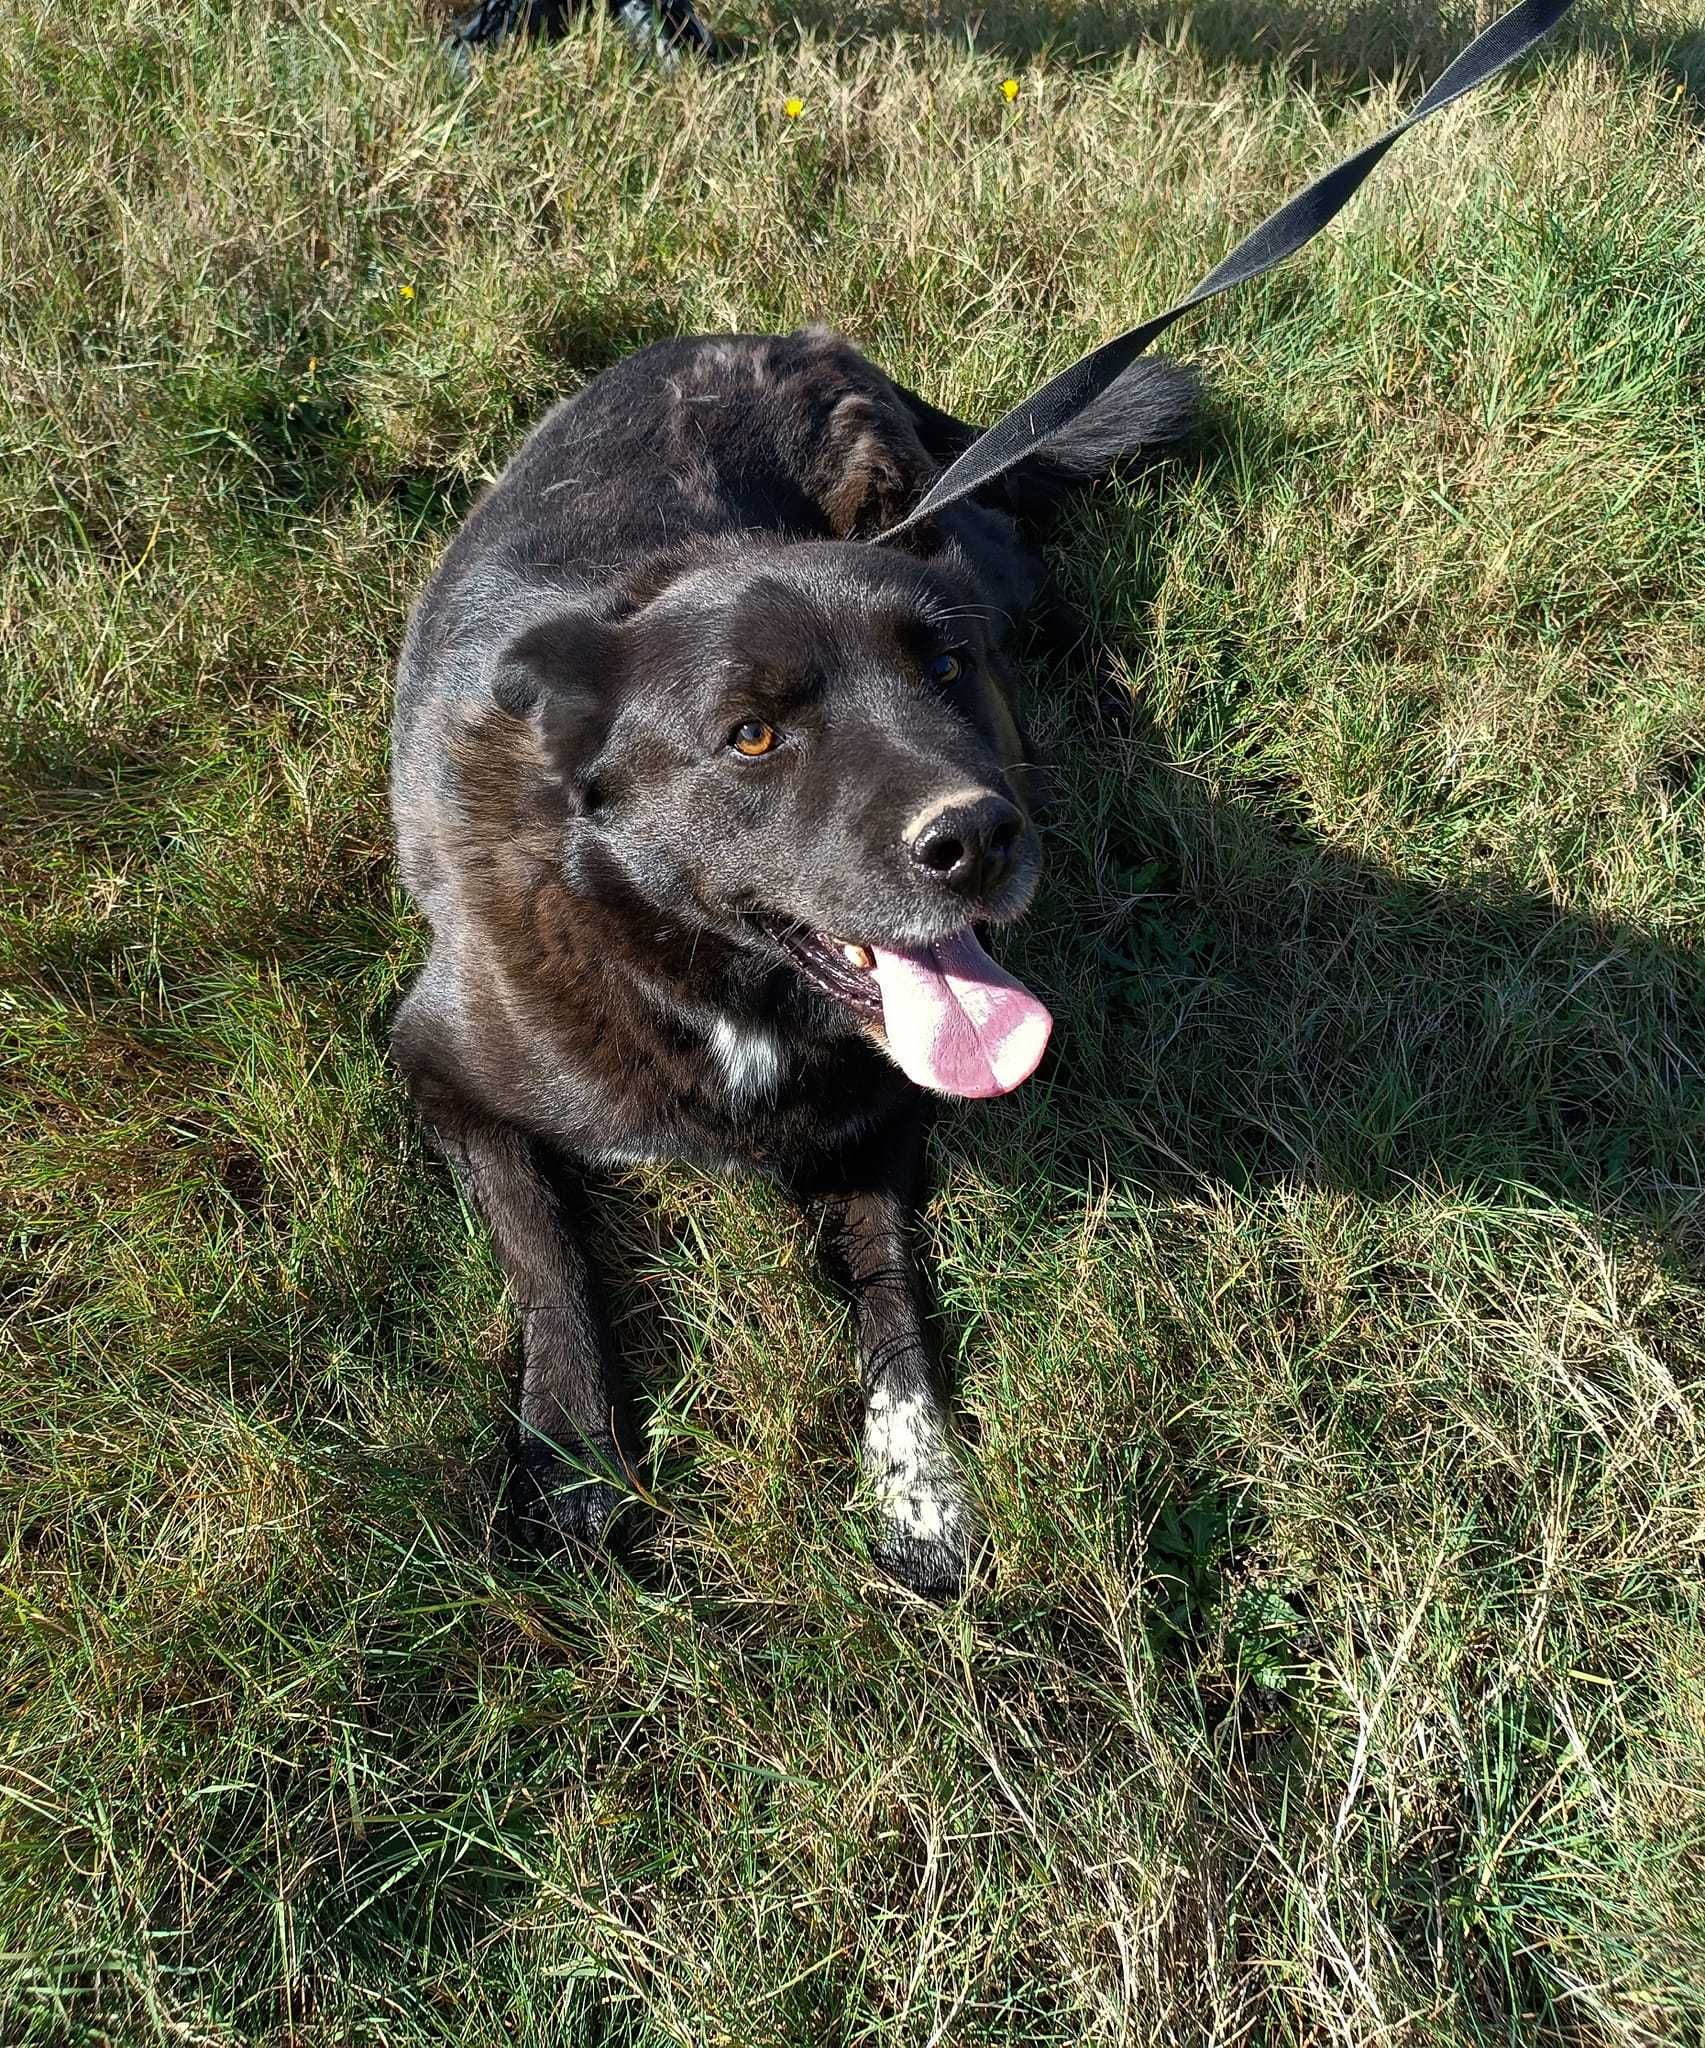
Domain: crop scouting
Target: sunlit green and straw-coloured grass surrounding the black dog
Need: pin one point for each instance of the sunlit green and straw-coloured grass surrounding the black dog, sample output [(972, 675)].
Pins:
[(1331, 1314)]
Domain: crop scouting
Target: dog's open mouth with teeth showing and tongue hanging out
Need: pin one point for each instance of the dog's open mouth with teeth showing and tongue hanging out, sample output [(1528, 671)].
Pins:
[(953, 1019)]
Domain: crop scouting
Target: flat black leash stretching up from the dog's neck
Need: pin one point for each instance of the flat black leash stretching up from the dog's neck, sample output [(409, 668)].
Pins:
[(1282, 234)]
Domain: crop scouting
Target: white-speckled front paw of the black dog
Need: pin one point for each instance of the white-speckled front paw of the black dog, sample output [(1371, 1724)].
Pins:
[(926, 1535)]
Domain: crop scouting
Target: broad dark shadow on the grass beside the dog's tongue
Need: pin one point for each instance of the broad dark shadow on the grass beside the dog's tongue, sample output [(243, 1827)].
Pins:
[(1252, 1005)]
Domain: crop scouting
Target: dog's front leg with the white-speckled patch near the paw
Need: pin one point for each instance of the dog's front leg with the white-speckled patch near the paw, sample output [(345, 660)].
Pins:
[(869, 1211)]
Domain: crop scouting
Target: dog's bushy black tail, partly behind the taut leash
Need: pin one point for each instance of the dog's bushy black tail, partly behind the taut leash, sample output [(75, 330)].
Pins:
[(1143, 413)]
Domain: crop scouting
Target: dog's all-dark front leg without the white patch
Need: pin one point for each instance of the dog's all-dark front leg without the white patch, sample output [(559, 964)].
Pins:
[(570, 1467)]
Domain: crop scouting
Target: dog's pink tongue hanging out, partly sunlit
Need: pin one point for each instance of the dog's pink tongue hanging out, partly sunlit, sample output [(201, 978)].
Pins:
[(959, 1023)]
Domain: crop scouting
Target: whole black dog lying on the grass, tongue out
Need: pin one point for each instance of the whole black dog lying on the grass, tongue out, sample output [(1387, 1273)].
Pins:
[(705, 798)]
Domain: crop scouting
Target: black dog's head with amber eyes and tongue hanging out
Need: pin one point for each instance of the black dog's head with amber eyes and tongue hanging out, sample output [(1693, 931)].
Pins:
[(807, 751)]
